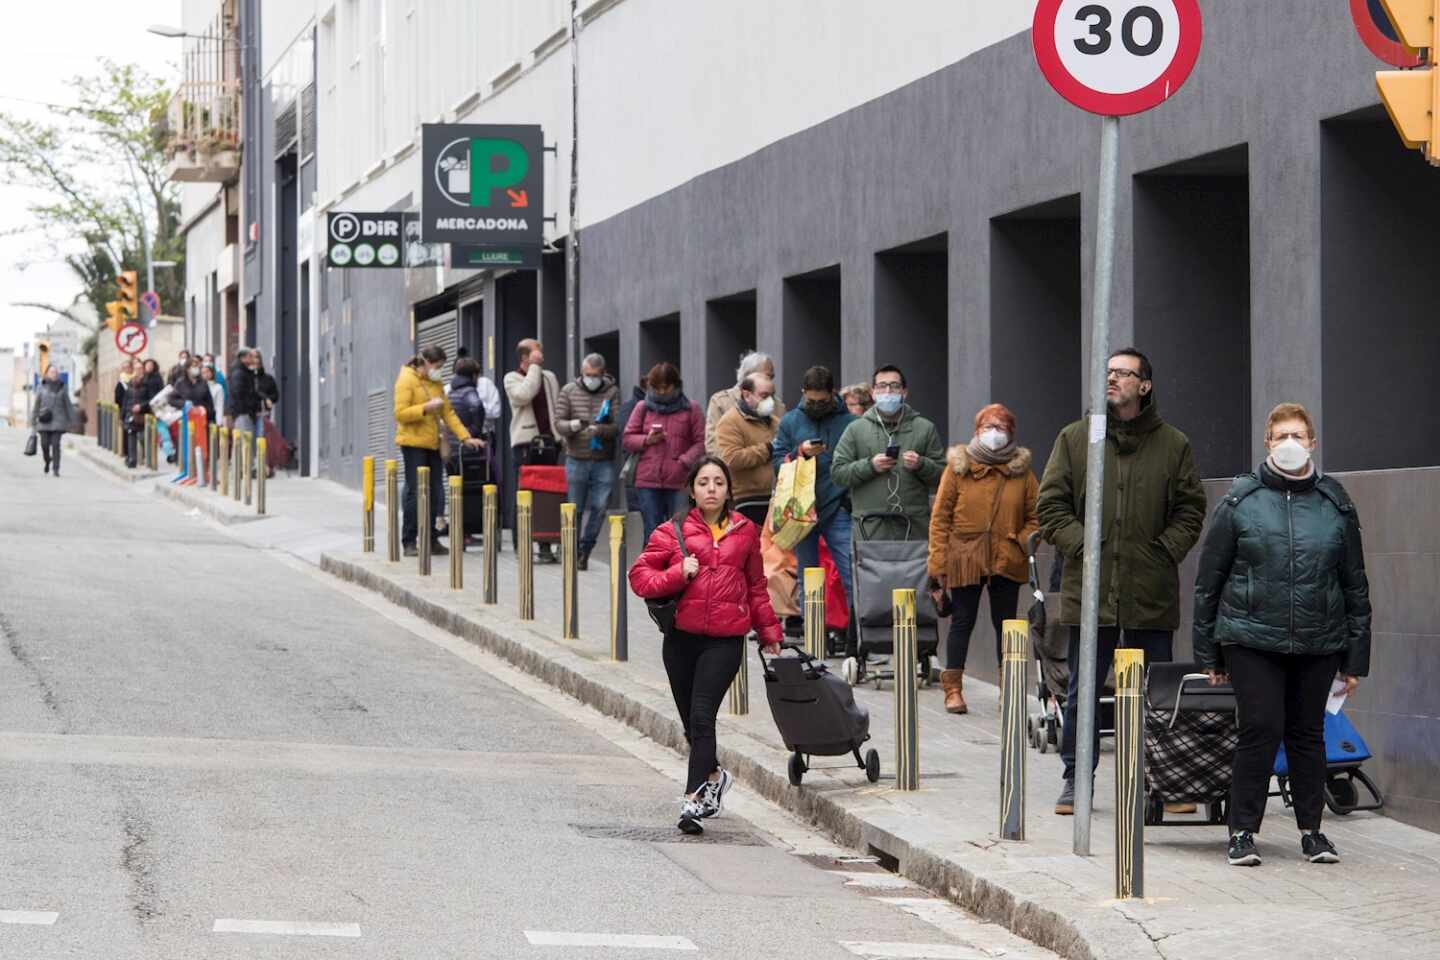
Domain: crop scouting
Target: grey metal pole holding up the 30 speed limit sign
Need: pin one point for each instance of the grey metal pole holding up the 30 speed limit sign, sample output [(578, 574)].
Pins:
[(1095, 483)]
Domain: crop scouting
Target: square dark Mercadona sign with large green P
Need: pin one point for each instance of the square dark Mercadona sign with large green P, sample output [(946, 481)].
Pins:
[(483, 185)]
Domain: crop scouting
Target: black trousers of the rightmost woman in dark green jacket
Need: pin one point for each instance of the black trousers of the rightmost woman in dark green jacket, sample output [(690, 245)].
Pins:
[(1279, 697)]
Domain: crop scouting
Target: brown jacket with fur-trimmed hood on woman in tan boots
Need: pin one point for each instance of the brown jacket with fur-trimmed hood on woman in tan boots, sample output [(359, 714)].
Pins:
[(981, 519)]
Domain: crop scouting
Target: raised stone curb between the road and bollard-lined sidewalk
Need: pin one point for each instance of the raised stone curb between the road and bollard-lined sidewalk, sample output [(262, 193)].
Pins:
[(1042, 916)]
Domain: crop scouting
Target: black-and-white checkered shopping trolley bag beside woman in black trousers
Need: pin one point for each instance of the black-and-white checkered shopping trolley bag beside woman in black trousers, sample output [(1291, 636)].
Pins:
[(1190, 742)]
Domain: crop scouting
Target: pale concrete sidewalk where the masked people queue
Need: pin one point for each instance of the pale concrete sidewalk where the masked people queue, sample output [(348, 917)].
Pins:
[(1380, 902)]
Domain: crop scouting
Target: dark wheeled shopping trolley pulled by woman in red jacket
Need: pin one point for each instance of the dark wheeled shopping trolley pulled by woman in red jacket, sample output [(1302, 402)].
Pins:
[(816, 713)]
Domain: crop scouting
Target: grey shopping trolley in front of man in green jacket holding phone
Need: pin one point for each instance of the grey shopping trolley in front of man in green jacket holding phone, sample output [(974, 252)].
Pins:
[(881, 568)]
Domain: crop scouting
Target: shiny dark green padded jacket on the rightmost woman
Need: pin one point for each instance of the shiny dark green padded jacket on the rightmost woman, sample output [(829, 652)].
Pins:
[(1284, 571)]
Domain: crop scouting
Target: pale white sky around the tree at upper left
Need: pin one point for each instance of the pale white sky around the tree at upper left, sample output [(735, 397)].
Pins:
[(42, 47)]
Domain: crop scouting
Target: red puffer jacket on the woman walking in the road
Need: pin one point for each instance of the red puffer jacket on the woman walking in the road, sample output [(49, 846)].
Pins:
[(728, 598)]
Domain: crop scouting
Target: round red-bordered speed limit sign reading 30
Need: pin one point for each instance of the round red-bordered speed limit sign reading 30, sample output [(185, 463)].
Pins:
[(1117, 57)]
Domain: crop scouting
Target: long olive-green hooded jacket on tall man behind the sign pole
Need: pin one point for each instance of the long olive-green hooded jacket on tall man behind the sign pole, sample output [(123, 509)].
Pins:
[(1153, 513)]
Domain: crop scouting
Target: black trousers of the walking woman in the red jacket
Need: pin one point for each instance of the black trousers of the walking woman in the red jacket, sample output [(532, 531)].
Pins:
[(701, 670)]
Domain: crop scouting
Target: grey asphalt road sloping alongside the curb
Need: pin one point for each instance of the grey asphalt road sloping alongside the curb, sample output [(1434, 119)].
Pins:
[(198, 736)]
